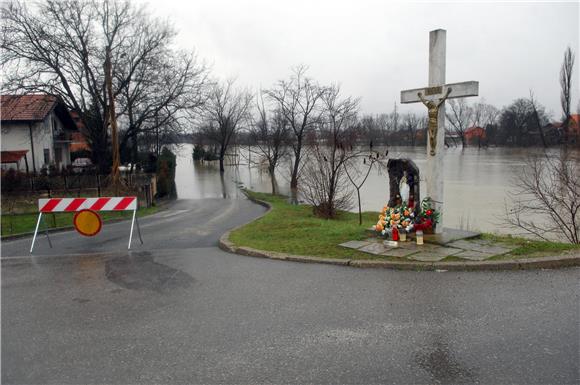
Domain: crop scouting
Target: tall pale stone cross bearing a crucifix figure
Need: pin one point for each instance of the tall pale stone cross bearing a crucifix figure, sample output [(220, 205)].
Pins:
[(434, 97)]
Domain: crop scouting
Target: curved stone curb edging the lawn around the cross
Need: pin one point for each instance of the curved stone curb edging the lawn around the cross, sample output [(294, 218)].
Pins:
[(514, 264)]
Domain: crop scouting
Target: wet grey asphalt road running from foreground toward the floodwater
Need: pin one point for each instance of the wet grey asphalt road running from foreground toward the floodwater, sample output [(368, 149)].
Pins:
[(179, 310)]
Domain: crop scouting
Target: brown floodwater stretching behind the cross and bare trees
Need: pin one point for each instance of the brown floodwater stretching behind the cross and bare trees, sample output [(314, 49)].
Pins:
[(477, 182)]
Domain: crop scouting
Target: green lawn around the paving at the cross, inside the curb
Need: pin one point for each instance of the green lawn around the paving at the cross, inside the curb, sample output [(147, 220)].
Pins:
[(294, 229)]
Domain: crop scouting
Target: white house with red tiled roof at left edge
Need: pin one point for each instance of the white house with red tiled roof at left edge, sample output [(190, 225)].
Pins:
[(36, 132)]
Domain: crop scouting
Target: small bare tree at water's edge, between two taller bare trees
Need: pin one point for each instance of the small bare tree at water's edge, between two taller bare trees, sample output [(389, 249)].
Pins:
[(269, 135)]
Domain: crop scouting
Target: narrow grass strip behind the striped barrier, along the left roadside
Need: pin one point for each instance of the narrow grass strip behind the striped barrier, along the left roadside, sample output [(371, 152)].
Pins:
[(25, 223)]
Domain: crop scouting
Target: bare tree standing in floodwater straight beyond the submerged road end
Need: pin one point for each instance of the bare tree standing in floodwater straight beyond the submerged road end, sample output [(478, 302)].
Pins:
[(225, 110)]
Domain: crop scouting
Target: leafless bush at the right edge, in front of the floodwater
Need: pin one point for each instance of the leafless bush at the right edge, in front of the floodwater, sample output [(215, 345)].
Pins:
[(547, 198)]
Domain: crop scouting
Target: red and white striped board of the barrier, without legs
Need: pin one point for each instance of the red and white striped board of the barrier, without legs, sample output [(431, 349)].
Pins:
[(59, 205)]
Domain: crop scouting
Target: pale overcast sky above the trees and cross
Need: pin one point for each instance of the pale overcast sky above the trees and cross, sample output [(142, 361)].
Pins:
[(375, 49)]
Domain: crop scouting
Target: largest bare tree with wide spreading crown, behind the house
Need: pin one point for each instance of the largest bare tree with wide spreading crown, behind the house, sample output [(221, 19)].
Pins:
[(59, 47)]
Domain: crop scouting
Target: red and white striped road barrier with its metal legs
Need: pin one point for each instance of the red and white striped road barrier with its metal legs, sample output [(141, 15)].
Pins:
[(63, 205)]
